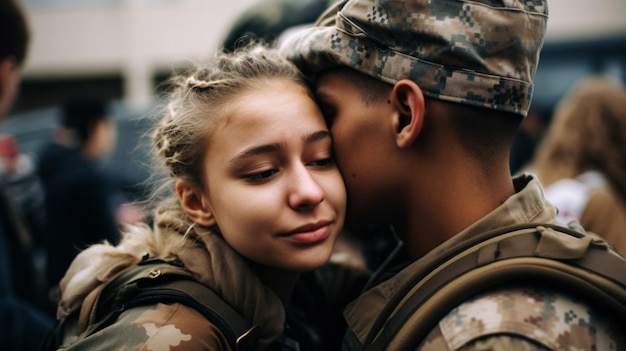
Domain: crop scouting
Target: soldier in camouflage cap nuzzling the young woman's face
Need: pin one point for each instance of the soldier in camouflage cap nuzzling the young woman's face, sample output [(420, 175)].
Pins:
[(423, 99)]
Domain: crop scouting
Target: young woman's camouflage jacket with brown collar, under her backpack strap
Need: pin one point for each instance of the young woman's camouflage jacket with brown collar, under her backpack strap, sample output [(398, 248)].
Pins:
[(171, 326)]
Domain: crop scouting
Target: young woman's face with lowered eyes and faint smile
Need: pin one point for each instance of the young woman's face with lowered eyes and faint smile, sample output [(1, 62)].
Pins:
[(270, 181)]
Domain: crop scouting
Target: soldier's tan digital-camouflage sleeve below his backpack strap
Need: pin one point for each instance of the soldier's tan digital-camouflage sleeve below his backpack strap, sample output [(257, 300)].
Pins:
[(524, 319)]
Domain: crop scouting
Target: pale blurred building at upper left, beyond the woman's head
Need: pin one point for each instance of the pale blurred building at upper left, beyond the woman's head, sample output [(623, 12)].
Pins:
[(121, 48)]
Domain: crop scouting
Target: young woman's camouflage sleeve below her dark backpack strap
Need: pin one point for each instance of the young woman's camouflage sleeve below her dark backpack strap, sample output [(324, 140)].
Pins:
[(161, 327)]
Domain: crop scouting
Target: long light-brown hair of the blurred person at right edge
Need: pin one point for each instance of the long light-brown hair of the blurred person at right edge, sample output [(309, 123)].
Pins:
[(588, 132)]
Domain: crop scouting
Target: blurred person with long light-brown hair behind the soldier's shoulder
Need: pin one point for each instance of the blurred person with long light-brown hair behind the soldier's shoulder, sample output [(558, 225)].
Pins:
[(582, 158)]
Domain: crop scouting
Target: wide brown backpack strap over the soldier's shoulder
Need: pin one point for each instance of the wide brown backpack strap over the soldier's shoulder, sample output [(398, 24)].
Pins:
[(539, 253)]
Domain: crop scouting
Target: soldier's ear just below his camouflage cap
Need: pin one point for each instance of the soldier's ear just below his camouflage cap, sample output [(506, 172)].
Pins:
[(408, 101)]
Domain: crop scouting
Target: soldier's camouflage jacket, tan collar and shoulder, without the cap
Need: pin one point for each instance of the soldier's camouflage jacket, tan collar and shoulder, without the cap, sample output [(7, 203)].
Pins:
[(509, 318)]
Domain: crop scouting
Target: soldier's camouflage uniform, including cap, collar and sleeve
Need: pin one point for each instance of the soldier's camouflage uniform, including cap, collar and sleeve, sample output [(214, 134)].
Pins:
[(480, 53)]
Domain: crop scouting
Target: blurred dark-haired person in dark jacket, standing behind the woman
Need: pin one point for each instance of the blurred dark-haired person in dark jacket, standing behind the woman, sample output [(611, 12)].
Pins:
[(78, 194)]
